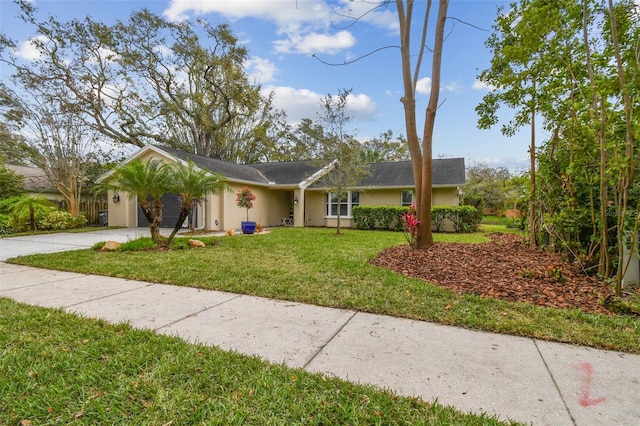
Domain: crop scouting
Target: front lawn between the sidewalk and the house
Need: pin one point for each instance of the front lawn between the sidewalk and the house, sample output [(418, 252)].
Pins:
[(315, 266)]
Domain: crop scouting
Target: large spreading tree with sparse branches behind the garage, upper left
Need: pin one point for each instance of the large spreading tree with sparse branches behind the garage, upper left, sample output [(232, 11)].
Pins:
[(148, 80)]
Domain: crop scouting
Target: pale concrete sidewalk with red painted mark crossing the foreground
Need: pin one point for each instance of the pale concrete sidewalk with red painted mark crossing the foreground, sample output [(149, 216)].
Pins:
[(516, 378)]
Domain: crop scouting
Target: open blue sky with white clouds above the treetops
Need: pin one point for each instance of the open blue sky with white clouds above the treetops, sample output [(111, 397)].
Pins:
[(283, 35)]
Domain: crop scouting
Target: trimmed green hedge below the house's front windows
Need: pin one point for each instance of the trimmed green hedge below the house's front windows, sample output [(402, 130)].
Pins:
[(459, 218)]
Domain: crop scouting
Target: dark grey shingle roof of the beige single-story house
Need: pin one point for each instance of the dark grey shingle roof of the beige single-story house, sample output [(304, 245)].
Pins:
[(446, 172)]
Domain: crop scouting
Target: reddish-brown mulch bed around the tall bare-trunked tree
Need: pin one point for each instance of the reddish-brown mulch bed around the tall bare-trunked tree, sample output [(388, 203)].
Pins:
[(504, 268)]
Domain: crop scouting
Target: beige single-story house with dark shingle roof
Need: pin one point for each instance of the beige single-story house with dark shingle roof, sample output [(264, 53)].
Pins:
[(287, 193)]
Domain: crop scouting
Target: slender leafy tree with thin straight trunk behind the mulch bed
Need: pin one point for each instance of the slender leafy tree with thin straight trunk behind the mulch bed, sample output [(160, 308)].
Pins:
[(526, 44)]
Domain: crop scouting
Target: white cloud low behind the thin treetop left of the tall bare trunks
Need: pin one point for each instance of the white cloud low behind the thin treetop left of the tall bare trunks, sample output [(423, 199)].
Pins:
[(304, 103)]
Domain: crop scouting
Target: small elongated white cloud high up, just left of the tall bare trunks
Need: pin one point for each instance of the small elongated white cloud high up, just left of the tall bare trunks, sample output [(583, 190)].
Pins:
[(315, 43)]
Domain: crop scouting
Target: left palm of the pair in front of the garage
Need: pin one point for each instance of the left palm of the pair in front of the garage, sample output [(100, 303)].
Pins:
[(143, 180)]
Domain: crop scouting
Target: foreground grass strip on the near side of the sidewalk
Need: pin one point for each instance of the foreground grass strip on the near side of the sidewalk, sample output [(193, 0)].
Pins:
[(58, 368)]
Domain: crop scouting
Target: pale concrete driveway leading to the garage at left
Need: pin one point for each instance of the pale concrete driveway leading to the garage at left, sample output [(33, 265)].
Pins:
[(49, 243)]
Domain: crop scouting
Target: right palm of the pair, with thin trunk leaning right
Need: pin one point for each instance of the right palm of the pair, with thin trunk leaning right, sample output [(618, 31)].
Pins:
[(192, 184)]
